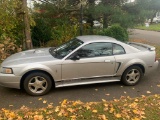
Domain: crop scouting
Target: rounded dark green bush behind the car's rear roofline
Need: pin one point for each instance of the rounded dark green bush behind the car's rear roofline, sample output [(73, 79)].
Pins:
[(117, 32)]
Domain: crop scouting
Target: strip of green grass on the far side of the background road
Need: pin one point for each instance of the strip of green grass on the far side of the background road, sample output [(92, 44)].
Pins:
[(152, 27)]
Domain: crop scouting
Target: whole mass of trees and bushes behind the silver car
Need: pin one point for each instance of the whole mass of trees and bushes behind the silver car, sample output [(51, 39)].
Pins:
[(54, 22)]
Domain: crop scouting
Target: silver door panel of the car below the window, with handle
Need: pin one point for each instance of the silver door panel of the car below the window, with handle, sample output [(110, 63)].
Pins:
[(88, 68)]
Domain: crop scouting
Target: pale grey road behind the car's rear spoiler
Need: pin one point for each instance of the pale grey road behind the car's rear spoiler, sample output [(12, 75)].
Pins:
[(150, 36)]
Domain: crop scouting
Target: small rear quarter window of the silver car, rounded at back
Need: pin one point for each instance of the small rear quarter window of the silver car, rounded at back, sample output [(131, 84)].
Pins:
[(118, 50)]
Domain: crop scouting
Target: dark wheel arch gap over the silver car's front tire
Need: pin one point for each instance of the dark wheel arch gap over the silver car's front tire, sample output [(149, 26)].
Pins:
[(32, 71)]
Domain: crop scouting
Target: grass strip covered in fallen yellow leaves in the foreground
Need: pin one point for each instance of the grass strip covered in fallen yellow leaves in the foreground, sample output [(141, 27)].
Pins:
[(126, 108)]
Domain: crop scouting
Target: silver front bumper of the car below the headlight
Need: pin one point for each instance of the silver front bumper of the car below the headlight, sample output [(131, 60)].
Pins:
[(10, 80)]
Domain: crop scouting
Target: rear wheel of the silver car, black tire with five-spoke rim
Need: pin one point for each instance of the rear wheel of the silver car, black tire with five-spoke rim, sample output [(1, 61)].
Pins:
[(132, 75)]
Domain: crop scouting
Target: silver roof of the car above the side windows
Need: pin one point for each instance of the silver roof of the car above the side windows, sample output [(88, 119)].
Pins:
[(94, 38)]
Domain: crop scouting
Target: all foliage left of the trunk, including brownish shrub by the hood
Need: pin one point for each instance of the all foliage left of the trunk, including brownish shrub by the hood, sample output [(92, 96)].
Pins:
[(11, 27)]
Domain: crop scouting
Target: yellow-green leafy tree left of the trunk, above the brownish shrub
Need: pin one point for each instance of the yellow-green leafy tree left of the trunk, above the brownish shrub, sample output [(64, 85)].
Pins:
[(10, 21)]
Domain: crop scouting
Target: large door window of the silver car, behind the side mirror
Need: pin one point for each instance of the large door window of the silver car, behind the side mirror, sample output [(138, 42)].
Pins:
[(95, 50)]
